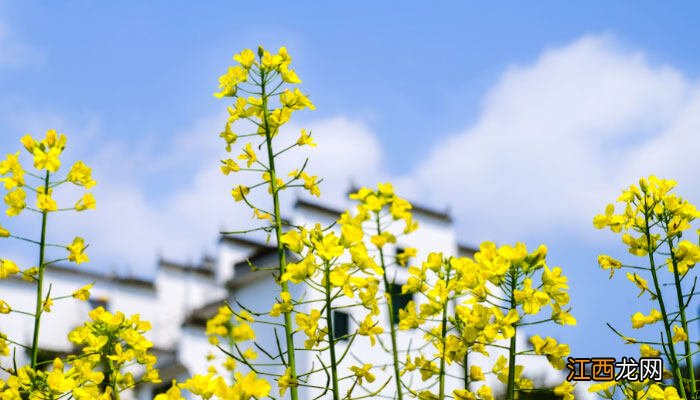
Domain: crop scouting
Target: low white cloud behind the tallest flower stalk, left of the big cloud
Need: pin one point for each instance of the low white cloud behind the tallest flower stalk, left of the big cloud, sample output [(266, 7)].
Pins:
[(172, 199)]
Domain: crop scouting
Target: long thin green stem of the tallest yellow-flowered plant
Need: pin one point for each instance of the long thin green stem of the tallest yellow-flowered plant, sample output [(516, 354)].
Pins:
[(281, 256)]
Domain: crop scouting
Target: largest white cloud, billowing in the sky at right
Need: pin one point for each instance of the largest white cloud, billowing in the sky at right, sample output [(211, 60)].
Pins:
[(558, 138)]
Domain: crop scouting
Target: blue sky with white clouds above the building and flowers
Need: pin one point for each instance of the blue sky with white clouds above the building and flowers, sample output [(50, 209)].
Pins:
[(523, 120)]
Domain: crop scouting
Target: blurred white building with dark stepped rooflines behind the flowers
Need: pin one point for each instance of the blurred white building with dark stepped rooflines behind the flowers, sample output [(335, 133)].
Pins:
[(181, 298)]
